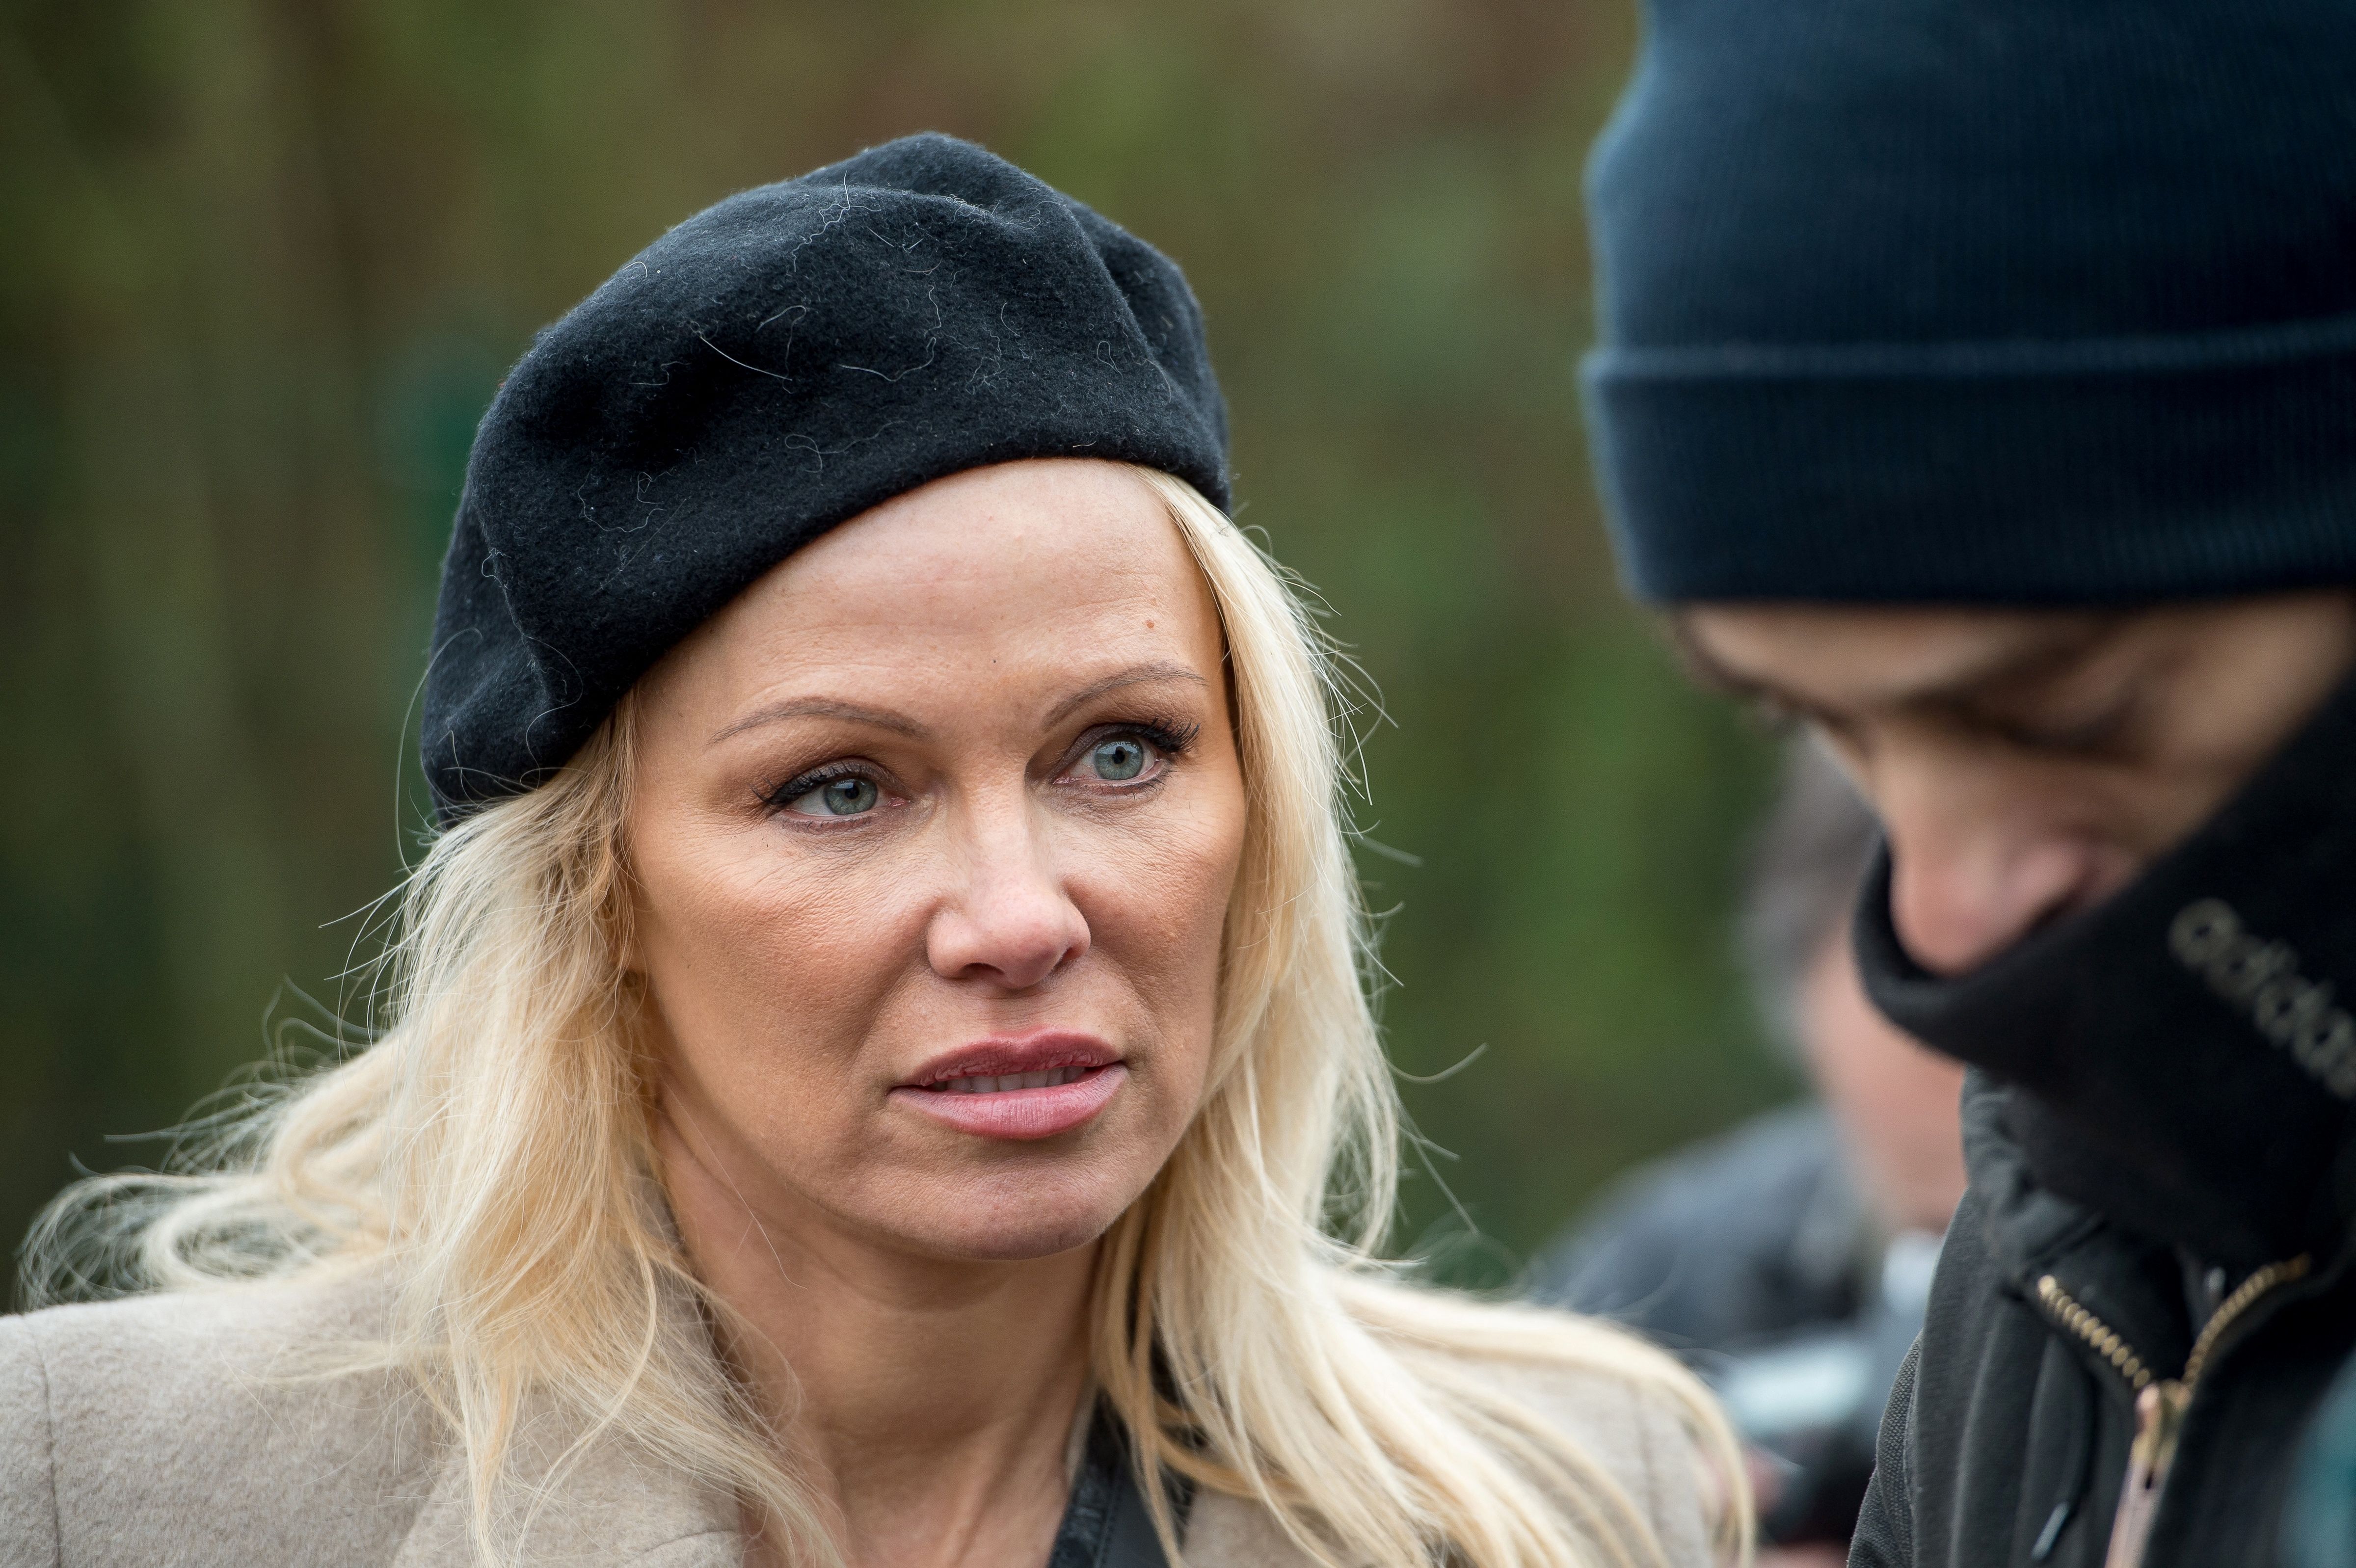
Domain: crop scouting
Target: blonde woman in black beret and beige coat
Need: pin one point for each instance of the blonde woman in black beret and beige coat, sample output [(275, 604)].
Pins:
[(875, 1061)]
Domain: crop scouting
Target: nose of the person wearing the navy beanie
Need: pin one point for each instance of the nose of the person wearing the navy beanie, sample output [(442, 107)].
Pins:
[(1976, 868)]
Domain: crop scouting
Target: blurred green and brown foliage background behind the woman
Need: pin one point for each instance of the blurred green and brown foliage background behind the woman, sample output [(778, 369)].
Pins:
[(270, 258)]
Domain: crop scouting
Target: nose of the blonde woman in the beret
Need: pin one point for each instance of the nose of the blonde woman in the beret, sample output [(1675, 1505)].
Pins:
[(1012, 919)]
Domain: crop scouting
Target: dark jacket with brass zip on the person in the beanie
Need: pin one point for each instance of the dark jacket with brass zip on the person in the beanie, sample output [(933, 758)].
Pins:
[(2011, 1428)]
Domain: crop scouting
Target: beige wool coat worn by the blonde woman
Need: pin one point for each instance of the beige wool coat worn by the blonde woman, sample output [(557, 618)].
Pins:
[(183, 1433)]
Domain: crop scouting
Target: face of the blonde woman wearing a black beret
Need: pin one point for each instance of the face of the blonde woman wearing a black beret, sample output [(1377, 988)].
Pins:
[(934, 835)]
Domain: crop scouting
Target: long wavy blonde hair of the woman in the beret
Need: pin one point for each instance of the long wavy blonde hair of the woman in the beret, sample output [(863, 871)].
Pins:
[(494, 1145)]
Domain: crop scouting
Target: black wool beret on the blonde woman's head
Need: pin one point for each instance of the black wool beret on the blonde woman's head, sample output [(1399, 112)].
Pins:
[(769, 368)]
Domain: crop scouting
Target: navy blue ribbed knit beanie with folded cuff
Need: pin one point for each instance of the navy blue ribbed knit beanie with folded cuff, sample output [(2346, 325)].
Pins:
[(1980, 300)]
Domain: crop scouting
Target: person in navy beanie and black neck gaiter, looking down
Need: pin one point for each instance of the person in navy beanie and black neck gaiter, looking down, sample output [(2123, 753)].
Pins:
[(1978, 385)]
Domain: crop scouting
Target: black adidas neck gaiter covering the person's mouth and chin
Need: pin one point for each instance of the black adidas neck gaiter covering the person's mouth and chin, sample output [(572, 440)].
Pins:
[(2183, 1058)]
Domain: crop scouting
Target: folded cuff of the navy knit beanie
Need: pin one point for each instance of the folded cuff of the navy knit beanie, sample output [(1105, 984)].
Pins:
[(2032, 472)]
